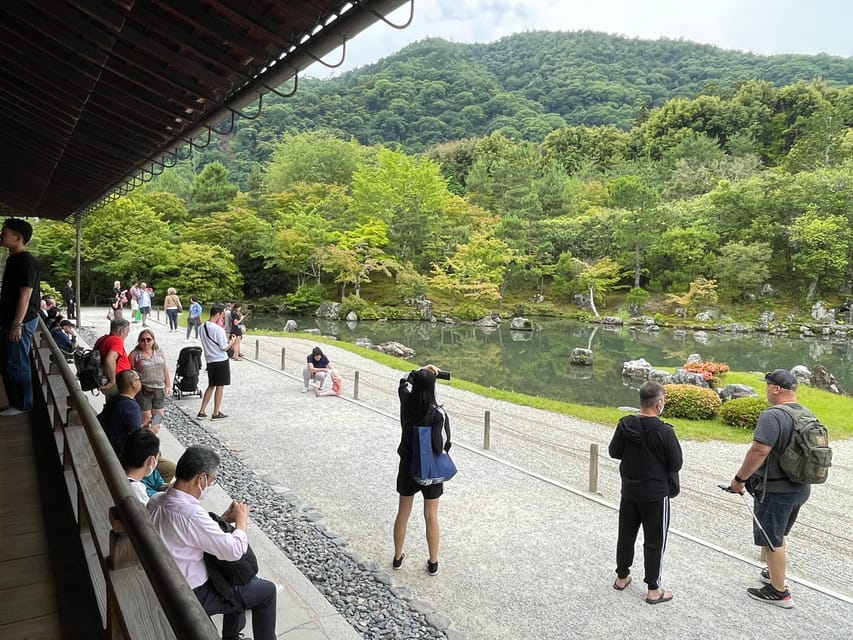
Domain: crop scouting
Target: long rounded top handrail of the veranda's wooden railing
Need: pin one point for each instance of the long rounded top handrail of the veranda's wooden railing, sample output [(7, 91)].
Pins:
[(182, 610)]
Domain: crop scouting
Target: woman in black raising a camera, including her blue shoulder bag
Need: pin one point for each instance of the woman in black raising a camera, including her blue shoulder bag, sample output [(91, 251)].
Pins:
[(422, 420)]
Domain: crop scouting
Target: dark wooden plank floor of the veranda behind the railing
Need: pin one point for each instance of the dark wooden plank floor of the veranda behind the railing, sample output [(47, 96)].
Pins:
[(44, 586)]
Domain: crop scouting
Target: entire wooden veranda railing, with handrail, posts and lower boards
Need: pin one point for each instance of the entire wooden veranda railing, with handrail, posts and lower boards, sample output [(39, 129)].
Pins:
[(140, 592)]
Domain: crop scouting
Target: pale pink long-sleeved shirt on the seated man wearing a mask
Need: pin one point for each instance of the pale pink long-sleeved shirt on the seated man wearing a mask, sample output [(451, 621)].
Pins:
[(188, 532)]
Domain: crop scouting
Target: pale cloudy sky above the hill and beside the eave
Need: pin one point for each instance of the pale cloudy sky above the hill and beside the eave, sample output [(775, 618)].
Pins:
[(759, 26)]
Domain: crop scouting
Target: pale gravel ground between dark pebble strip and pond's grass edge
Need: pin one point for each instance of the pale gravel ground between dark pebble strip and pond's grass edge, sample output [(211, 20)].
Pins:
[(526, 551)]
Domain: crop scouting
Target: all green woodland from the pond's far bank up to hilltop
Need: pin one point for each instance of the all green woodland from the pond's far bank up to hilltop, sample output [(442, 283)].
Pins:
[(682, 200)]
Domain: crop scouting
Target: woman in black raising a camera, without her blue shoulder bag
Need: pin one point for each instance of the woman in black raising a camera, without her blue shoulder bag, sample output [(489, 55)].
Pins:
[(418, 407)]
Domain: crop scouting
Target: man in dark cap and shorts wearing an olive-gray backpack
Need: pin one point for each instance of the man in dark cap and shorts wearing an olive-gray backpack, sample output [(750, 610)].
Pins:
[(790, 452)]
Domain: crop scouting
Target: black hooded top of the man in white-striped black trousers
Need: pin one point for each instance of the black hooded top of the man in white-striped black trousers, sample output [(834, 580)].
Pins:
[(649, 452)]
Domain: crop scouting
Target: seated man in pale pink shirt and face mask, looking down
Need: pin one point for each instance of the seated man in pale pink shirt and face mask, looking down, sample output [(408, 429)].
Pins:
[(189, 532)]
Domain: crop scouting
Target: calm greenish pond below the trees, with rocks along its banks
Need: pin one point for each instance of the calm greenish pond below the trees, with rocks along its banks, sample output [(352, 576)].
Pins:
[(537, 363)]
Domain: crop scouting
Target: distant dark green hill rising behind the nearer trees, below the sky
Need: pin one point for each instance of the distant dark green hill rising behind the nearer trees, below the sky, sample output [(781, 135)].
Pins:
[(526, 84)]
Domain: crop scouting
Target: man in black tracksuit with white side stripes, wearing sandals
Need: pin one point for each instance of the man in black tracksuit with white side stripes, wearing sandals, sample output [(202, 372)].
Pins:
[(651, 459)]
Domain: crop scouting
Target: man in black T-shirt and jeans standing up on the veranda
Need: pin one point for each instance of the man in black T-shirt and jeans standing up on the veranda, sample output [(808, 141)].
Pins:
[(19, 311)]
